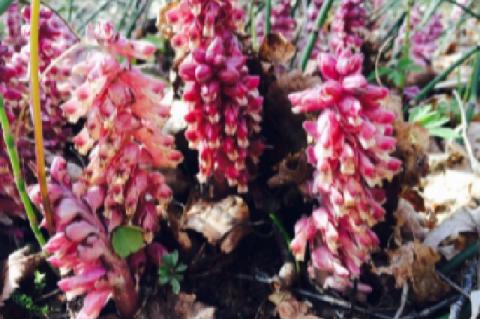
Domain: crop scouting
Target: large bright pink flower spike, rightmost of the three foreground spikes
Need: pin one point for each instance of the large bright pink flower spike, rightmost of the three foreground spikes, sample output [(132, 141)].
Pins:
[(352, 140)]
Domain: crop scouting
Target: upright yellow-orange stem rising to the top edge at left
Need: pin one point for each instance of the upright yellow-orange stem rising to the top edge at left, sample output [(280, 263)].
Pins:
[(37, 112)]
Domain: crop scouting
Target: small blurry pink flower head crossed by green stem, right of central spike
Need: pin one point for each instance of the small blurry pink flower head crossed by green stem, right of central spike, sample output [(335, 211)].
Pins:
[(280, 19)]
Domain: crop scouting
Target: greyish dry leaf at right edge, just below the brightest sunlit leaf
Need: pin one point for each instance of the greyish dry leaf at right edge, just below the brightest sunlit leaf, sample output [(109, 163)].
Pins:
[(445, 236)]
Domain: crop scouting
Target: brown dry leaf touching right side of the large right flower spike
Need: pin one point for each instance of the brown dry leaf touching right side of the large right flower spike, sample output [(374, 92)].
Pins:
[(412, 145)]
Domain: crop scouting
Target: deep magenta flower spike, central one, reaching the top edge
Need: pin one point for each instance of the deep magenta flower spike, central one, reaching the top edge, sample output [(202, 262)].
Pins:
[(225, 109)]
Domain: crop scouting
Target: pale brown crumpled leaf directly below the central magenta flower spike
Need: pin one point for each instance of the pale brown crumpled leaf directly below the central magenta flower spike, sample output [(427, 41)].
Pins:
[(224, 221)]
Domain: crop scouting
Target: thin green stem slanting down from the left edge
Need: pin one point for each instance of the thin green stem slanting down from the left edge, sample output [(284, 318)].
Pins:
[(17, 174)]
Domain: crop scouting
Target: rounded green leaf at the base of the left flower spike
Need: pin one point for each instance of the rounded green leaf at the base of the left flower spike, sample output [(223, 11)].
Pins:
[(127, 240)]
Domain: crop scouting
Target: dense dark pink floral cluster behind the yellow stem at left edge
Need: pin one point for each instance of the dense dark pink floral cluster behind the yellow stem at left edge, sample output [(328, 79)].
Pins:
[(55, 38)]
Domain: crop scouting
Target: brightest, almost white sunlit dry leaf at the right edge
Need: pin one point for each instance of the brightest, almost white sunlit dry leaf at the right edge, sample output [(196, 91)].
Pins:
[(448, 191)]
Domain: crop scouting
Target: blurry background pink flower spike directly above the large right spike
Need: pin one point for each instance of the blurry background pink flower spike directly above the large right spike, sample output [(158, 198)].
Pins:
[(349, 20)]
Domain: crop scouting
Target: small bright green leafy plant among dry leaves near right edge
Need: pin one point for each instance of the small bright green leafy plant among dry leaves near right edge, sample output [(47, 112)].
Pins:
[(433, 120)]
